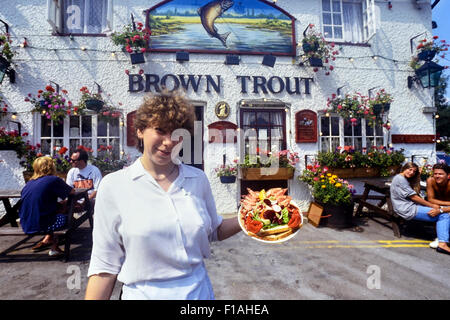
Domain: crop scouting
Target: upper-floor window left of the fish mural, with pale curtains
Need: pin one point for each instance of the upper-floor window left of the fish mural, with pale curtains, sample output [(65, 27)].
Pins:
[(78, 17)]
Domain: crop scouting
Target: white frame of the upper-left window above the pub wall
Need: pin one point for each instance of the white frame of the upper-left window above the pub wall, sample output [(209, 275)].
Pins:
[(55, 19)]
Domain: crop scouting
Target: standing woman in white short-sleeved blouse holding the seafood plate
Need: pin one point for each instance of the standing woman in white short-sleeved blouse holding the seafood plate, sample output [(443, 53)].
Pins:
[(154, 220)]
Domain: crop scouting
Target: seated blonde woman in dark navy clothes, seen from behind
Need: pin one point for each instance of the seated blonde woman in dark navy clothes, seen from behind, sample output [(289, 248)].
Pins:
[(39, 209)]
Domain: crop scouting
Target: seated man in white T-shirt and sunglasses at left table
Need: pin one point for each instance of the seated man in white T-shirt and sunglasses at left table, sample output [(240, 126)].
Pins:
[(83, 175)]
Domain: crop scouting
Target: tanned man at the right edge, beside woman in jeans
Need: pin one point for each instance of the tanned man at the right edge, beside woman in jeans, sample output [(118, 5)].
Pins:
[(438, 189)]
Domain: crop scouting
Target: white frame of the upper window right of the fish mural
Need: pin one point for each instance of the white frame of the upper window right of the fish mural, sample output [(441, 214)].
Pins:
[(369, 25)]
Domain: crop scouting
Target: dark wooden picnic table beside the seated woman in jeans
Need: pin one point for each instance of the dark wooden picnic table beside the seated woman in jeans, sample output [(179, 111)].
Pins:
[(382, 188)]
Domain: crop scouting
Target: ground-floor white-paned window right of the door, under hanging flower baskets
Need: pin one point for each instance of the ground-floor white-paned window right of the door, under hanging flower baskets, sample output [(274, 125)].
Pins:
[(335, 132)]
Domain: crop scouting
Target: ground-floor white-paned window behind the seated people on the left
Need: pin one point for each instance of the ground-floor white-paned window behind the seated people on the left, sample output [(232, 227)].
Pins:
[(87, 130)]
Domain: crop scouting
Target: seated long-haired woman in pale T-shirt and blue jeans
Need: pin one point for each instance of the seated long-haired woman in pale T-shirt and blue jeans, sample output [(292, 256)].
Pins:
[(409, 205)]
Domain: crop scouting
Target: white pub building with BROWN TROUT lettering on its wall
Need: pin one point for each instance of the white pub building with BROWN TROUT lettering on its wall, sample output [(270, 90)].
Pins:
[(242, 65)]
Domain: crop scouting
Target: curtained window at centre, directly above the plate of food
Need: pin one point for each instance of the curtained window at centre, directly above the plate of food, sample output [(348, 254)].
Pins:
[(267, 126)]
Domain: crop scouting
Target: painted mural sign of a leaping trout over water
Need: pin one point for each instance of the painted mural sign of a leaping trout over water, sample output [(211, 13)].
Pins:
[(221, 26)]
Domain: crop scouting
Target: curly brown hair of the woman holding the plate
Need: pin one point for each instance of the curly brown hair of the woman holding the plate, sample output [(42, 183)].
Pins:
[(168, 110)]
